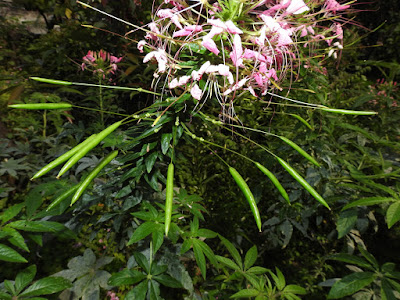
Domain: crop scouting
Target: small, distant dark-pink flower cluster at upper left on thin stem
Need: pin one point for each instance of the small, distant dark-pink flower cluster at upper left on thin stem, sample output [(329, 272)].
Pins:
[(101, 63)]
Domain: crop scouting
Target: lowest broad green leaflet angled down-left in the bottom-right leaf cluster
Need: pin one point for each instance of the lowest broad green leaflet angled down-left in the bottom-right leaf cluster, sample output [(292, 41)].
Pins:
[(350, 284)]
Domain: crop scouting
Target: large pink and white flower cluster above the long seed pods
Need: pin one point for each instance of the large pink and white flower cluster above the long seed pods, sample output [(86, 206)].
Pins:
[(236, 46)]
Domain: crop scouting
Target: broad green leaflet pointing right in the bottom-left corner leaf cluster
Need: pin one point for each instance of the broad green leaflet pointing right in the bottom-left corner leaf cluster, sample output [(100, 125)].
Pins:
[(46, 286)]
